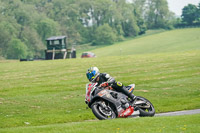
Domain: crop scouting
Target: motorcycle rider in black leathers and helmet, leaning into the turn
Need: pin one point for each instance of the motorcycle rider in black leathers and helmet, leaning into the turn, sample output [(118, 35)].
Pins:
[(103, 79)]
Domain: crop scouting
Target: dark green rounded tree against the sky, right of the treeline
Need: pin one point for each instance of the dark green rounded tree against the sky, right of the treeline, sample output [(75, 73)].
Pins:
[(189, 14)]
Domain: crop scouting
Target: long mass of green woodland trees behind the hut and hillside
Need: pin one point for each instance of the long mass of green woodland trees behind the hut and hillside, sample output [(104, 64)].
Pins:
[(25, 24)]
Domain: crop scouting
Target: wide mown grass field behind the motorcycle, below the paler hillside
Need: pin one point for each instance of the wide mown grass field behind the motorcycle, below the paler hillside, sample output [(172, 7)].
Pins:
[(49, 92)]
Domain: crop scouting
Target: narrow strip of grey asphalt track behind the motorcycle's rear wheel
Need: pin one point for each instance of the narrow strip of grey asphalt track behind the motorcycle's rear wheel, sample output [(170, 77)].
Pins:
[(185, 112)]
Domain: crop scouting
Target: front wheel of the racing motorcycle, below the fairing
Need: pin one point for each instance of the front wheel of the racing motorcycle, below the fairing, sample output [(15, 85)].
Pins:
[(103, 110)]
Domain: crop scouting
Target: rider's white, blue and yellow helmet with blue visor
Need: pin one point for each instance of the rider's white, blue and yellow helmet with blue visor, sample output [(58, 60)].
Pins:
[(92, 73)]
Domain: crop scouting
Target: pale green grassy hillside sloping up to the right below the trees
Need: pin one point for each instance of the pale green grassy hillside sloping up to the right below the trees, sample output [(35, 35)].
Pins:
[(169, 41)]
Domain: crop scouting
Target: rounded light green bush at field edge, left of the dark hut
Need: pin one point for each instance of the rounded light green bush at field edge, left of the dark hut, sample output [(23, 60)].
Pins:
[(16, 49)]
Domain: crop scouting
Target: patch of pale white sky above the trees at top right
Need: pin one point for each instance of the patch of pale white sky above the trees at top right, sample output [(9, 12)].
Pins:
[(176, 6)]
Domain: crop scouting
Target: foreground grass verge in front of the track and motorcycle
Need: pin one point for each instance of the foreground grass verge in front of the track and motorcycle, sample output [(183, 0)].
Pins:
[(188, 123)]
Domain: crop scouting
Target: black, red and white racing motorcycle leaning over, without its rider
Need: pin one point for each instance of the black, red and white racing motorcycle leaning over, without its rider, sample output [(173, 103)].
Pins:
[(106, 103)]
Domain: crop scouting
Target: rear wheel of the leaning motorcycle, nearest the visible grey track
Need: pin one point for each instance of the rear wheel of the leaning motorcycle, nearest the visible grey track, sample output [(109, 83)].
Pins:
[(145, 107)]
